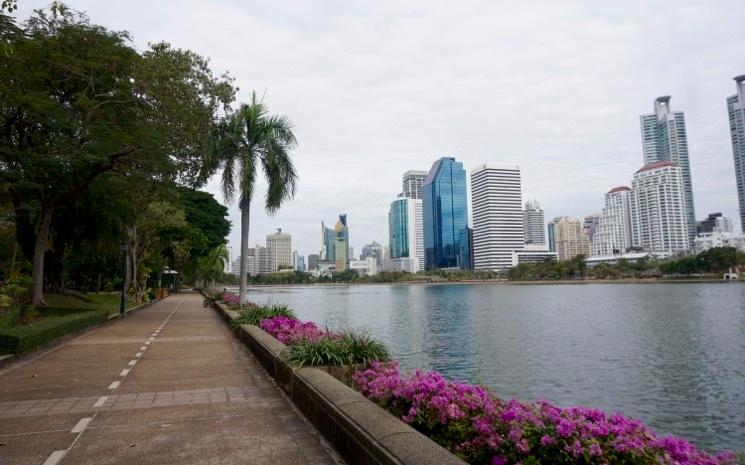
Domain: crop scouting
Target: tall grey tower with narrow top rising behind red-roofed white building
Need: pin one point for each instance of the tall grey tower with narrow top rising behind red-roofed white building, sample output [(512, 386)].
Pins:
[(664, 139)]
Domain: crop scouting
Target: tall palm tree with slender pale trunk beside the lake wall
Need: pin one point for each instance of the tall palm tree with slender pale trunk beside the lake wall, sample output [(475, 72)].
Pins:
[(253, 140)]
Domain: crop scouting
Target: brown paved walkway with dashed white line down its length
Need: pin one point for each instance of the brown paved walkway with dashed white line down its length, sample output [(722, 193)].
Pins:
[(168, 385)]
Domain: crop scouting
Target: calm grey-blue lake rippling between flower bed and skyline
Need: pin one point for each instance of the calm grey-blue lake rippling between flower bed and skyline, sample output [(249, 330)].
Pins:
[(670, 354)]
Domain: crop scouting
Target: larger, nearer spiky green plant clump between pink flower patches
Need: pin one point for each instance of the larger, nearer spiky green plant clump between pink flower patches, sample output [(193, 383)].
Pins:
[(349, 348)]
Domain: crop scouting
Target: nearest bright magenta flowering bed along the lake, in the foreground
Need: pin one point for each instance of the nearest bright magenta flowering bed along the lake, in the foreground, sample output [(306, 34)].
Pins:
[(480, 428)]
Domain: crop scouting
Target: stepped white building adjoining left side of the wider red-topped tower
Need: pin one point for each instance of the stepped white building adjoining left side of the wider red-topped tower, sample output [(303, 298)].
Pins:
[(613, 233)]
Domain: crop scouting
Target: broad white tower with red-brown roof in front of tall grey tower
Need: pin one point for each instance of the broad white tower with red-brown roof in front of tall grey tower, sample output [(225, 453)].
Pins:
[(658, 211)]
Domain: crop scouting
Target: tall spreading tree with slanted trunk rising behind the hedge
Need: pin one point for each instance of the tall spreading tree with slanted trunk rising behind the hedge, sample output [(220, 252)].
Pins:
[(77, 101)]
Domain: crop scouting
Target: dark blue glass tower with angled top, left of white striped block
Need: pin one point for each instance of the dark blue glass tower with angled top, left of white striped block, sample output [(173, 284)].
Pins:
[(444, 213)]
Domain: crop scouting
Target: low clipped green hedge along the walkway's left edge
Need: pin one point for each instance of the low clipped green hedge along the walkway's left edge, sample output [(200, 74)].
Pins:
[(28, 337)]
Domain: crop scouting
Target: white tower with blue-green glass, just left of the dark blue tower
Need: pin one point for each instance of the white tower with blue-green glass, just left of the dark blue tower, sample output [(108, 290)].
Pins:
[(405, 245)]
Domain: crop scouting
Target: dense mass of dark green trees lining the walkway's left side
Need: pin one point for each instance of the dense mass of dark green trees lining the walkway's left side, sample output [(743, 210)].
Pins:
[(103, 145)]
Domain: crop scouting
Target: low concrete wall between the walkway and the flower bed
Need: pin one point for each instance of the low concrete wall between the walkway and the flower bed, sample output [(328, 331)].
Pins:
[(360, 431)]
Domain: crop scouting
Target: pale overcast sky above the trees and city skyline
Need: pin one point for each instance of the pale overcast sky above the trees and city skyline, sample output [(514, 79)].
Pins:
[(378, 88)]
